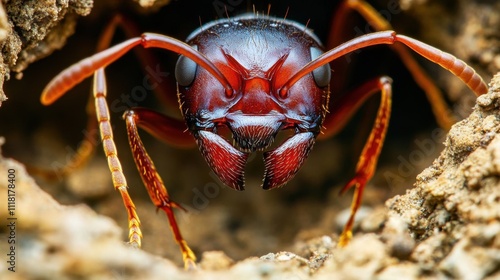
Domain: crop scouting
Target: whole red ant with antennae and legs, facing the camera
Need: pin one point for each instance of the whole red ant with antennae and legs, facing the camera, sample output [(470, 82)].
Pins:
[(253, 76)]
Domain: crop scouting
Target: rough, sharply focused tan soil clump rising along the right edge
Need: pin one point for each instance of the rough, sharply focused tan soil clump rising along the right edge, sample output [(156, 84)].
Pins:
[(454, 210)]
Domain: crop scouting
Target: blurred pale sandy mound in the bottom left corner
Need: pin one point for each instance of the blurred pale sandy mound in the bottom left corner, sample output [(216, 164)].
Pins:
[(53, 241)]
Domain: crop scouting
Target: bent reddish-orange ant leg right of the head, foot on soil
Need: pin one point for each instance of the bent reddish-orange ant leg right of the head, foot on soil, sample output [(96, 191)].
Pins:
[(369, 156)]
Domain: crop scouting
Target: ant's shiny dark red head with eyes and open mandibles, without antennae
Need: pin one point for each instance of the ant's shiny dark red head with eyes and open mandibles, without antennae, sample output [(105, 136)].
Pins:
[(256, 61)]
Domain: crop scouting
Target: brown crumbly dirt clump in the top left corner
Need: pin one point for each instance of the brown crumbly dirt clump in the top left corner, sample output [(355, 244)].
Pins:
[(32, 30)]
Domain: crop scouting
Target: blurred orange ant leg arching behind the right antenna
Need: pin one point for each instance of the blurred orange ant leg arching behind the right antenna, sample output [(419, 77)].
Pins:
[(441, 110)]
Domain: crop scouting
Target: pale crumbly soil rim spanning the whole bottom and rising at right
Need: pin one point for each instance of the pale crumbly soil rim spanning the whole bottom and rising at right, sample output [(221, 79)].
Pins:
[(448, 225)]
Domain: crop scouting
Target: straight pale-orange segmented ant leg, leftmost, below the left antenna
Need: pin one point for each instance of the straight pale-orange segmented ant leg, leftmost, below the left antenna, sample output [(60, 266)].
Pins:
[(119, 180)]
